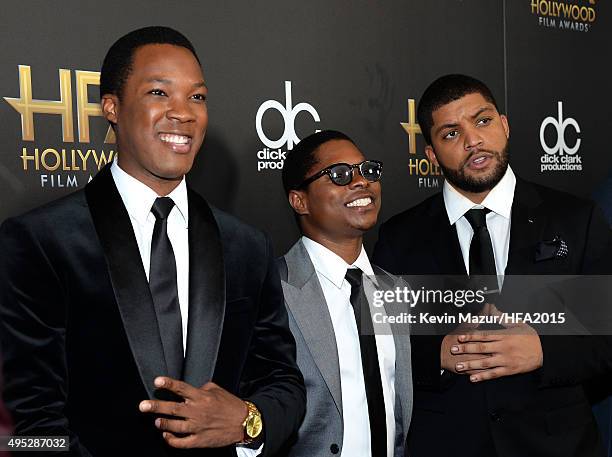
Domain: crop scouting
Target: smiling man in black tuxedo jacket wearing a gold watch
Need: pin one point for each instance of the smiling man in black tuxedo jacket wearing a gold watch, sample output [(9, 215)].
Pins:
[(136, 319)]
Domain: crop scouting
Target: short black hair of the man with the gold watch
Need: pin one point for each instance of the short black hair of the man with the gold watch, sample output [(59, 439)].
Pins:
[(117, 64)]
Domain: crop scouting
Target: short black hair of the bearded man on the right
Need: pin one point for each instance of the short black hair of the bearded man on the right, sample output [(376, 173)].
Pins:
[(444, 90)]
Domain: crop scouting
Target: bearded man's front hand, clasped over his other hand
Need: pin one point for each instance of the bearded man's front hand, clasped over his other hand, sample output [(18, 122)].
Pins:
[(513, 350)]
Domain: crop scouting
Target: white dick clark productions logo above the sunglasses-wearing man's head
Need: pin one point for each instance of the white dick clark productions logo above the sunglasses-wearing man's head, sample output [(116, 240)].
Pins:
[(272, 156)]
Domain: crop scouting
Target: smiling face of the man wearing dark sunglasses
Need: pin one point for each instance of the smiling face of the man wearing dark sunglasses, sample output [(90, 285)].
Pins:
[(332, 212)]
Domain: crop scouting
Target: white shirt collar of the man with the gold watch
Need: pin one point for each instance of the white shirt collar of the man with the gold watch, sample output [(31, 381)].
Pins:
[(138, 198)]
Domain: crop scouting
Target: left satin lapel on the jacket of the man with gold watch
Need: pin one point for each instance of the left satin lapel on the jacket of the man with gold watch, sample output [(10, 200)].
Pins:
[(127, 275)]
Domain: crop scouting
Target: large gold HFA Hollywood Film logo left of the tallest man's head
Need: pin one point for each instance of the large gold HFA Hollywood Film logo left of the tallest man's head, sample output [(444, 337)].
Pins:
[(36, 157)]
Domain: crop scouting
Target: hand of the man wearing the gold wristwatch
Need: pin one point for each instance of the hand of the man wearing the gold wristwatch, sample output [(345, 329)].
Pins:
[(209, 417)]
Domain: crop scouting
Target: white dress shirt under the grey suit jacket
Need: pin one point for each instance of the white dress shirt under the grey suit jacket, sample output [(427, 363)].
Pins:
[(331, 272)]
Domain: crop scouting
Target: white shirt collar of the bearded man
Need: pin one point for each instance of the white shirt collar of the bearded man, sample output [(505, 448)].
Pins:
[(498, 200)]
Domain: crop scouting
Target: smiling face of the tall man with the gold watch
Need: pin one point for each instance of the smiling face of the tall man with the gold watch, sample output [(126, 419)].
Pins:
[(161, 117)]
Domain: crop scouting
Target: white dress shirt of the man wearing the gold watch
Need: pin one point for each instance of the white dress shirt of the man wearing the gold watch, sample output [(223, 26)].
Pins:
[(138, 199)]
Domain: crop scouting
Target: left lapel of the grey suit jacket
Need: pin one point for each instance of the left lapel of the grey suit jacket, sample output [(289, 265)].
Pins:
[(306, 302)]
